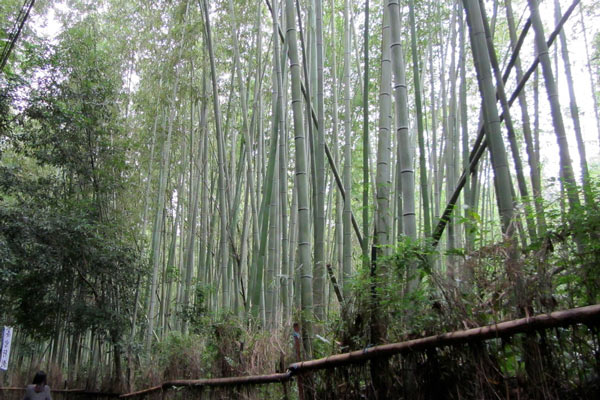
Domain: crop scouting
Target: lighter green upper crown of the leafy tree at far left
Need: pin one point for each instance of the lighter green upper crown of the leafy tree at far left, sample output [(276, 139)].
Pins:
[(71, 121)]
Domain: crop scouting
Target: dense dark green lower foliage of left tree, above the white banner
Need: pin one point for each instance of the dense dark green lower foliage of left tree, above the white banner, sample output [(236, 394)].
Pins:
[(62, 266)]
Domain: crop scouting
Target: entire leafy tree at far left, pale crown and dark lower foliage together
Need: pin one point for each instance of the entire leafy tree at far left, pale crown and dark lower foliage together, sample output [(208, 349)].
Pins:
[(65, 259)]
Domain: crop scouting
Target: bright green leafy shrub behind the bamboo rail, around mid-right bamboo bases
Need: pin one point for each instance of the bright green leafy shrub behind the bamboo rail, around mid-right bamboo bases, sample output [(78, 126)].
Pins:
[(384, 300)]
